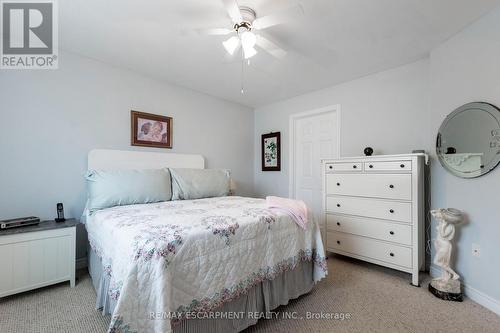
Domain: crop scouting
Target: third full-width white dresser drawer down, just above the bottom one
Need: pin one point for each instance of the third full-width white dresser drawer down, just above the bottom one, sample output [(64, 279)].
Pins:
[(384, 230)]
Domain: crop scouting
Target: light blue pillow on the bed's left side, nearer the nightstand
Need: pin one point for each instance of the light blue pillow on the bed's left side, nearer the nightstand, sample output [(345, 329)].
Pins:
[(127, 187)]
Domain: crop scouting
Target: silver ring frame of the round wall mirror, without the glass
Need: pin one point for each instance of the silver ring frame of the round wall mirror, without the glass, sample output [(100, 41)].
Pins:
[(484, 107)]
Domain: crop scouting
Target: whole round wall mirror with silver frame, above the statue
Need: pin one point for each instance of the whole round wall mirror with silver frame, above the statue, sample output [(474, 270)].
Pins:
[(468, 142)]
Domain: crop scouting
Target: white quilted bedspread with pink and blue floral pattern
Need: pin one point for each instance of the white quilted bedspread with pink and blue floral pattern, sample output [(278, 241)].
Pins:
[(181, 257)]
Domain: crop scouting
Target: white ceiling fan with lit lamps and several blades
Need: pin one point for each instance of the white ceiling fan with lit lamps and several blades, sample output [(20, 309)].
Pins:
[(246, 23)]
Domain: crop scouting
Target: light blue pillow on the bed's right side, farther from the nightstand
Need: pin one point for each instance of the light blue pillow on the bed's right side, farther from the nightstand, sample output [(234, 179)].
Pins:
[(190, 184)]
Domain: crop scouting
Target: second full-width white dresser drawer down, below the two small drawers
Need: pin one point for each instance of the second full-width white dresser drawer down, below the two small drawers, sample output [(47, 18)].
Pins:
[(375, 208)]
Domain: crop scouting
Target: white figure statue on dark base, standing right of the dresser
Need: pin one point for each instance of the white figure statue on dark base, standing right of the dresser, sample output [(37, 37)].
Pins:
[(448, 285)]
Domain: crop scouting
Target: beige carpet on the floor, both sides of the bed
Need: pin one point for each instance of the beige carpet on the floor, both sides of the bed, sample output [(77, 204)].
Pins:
[(378, 299)]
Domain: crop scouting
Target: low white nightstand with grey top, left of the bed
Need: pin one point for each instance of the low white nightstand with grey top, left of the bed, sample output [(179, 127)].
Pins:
[(36, 256)]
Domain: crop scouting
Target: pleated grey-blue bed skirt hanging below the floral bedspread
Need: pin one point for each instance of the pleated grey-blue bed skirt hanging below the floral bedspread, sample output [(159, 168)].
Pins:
[(260, 299)]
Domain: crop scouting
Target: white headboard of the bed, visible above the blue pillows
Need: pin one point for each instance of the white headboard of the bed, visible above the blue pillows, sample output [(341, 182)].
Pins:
[(106, 159)]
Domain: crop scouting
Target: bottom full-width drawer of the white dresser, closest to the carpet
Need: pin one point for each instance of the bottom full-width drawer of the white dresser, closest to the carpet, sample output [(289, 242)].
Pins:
[(371, 248)]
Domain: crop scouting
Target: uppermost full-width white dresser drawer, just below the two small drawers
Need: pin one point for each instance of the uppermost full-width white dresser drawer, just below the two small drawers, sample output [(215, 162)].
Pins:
[(396, 186)]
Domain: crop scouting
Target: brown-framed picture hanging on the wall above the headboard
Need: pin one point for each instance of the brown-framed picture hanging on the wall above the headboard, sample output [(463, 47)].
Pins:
[(151, 130)]
